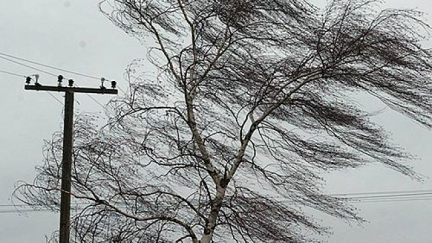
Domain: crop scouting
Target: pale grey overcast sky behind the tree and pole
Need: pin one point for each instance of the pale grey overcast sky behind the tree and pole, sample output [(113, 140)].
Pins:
[(74, 35)]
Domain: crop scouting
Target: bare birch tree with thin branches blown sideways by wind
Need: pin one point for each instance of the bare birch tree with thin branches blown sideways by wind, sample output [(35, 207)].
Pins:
[(252, 101)]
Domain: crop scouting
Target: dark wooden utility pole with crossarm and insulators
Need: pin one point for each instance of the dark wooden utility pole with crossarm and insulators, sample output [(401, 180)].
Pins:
[(68, 142)]
